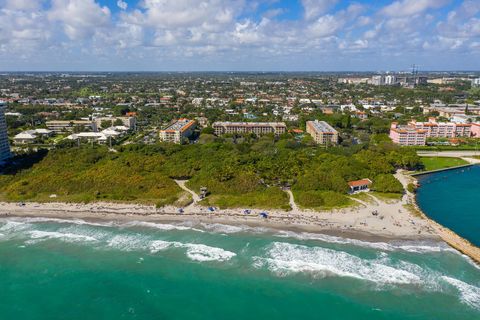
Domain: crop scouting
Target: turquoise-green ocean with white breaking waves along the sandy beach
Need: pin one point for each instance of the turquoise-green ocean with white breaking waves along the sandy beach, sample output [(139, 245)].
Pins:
[(74, 269)]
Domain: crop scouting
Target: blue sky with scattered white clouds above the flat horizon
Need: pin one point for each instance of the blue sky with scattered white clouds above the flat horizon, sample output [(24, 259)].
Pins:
[(239, 35)]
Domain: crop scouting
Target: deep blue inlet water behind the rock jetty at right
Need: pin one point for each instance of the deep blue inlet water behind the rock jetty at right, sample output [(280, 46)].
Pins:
[(452, 199)]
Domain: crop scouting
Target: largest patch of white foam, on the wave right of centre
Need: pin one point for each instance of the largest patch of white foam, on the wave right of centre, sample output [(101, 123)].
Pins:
[(286, 258)]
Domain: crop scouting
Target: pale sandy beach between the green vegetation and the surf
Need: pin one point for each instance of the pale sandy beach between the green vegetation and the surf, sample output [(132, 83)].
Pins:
[(393, 221)]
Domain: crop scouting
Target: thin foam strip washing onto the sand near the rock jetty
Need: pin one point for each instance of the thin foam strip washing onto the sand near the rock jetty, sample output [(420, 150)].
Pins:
[(408, 246)]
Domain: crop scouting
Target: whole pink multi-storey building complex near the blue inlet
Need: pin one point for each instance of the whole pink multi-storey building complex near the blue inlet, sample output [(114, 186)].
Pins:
[(416, 133)]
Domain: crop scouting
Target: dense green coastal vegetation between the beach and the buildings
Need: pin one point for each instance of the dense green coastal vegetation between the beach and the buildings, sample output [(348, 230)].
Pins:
[(243, 174)]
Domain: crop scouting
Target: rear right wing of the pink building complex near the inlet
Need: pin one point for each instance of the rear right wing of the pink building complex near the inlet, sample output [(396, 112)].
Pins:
[(436, 129)]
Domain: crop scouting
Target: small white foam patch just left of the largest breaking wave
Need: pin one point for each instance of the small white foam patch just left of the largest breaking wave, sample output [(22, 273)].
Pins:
[(195, 251)]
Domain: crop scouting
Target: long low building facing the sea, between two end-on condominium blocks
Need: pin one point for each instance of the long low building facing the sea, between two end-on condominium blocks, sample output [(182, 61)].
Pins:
[(258, 128)]
